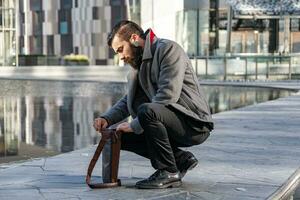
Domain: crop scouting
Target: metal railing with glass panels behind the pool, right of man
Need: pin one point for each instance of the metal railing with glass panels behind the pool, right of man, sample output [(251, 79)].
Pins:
[(248, 66)]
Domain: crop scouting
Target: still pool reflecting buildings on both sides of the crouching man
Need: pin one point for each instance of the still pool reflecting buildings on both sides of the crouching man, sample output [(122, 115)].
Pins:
[(43, 118)]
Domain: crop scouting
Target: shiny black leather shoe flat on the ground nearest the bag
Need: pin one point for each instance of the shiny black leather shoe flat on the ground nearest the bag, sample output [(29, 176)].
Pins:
[(159, 180)]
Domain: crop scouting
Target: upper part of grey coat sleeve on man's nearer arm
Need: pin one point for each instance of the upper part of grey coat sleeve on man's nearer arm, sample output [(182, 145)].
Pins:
[(172, 64)]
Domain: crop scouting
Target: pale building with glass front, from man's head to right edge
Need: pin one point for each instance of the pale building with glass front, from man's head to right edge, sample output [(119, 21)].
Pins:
[(202, 27)]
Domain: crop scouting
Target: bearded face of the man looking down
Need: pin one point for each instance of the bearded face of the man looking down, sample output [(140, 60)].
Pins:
[(127, 52)]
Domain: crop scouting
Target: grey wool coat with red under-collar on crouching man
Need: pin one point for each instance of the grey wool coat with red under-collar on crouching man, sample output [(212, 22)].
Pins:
[(167, 78)]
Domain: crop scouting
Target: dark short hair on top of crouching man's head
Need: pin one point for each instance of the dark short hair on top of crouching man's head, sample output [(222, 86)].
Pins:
[(125, 29)]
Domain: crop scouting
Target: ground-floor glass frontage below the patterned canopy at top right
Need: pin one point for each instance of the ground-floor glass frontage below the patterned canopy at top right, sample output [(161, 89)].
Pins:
[(265, 35)]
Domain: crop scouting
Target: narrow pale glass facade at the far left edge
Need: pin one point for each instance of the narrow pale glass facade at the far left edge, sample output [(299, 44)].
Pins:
[(8, 45)]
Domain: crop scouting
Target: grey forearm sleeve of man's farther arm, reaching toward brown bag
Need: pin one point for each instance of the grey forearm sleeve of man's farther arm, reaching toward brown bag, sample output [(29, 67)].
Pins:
[(118, 112)]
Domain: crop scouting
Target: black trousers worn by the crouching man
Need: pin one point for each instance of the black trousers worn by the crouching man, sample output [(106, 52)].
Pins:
[(165, 130)]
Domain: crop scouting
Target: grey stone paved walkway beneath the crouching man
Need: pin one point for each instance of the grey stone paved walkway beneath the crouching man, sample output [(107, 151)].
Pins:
[(250, 155)]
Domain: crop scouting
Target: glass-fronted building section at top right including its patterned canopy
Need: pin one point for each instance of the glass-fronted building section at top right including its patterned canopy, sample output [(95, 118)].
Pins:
[(274, 25)]
